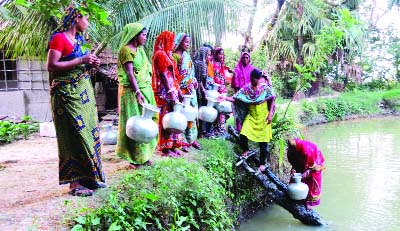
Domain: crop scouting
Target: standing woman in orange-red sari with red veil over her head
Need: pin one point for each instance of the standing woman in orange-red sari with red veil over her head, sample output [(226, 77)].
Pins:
[(165, 84)]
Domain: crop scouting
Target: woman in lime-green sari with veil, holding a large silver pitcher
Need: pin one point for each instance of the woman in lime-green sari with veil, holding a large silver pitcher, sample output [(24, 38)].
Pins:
[(134, 75)]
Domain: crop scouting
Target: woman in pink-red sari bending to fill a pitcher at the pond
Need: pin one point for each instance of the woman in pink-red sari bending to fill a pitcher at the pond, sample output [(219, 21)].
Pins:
[(306, 158)]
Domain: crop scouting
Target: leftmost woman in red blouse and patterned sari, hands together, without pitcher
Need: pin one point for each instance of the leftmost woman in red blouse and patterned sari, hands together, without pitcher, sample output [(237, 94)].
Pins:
[(73, 106)]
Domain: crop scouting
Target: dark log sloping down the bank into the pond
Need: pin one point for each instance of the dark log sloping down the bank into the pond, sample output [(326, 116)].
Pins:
[(276, 190)]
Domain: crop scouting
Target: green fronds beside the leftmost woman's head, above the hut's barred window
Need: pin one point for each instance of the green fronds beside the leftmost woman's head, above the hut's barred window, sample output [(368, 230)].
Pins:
[(27, 25)]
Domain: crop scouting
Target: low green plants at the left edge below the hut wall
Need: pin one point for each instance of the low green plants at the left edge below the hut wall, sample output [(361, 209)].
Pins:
[(10, 131)]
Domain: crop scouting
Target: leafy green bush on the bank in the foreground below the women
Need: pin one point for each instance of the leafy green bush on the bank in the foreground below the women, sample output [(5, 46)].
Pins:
[(171, 195)]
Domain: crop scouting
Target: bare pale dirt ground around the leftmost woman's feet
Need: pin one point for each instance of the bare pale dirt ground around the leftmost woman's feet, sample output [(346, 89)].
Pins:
[(31, 198)]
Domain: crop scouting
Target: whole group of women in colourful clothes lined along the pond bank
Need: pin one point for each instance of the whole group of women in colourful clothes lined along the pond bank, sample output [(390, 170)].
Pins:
[(161, 82)]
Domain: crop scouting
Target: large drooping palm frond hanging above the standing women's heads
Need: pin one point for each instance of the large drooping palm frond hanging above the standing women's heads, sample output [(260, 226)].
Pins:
[(200, 18)]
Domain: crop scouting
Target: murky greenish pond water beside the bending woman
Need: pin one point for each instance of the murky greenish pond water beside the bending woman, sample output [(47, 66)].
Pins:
[(361, 185)]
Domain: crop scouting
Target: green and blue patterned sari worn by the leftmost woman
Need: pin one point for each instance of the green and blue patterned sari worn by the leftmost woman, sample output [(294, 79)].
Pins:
[(75, 119)]
